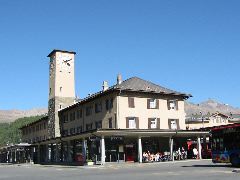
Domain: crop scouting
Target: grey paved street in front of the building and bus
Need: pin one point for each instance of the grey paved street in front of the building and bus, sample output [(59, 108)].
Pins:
[(194, 169)]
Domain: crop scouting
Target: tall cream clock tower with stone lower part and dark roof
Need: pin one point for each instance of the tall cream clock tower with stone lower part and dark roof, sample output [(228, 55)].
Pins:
[(61, 87)]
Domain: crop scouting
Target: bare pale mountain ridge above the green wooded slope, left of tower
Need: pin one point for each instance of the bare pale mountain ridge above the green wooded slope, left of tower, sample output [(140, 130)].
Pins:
[(11, 115)]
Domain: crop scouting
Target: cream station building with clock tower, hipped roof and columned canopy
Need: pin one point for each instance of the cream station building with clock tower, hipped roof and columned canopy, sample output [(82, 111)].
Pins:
[(116, 124)]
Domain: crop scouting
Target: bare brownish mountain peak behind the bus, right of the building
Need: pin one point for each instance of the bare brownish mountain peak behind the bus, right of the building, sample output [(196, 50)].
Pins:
[(210, 106)]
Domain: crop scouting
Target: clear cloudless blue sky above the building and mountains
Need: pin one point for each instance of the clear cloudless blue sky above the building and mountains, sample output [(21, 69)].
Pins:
[(188, 46)]
